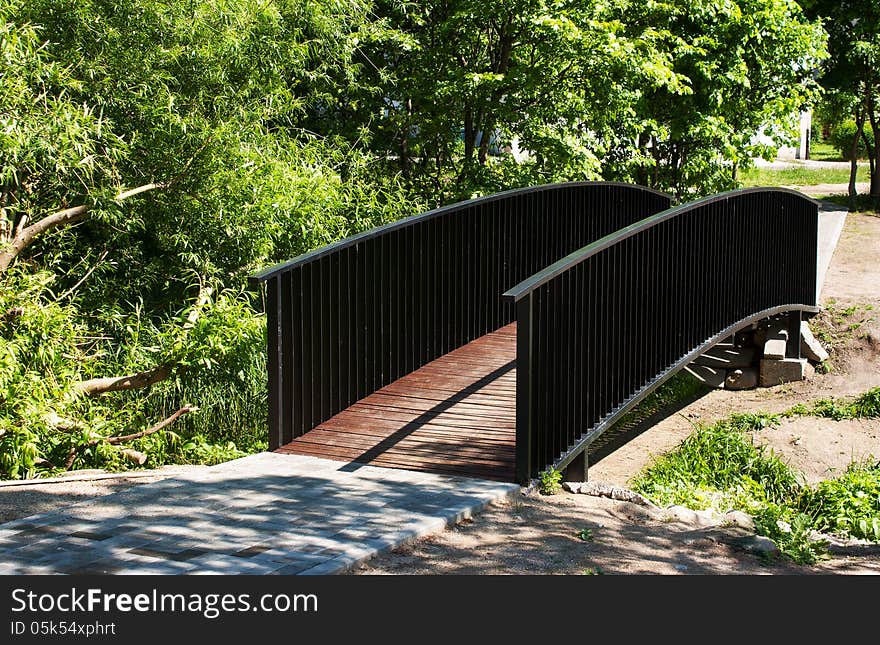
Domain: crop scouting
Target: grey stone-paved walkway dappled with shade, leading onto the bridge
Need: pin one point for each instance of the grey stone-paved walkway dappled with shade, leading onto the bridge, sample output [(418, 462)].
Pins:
[(263, 514)]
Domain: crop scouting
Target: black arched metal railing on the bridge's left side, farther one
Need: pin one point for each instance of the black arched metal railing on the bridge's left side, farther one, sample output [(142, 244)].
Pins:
[(349, 318)]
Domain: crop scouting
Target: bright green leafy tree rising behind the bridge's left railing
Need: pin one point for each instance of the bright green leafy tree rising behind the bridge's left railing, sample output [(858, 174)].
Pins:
[(453, 83)]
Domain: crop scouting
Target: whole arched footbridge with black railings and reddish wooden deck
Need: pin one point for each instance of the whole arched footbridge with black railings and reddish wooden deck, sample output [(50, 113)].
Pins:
[(501, 336)]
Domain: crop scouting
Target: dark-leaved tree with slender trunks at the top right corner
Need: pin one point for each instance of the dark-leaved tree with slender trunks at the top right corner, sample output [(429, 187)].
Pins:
[(852, 74)]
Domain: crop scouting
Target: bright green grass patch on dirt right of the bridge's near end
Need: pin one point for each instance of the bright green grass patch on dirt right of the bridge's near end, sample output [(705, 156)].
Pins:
[(720, 467)]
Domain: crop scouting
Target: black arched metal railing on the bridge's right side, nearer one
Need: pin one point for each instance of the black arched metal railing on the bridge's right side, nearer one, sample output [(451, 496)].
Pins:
[(601, 328)]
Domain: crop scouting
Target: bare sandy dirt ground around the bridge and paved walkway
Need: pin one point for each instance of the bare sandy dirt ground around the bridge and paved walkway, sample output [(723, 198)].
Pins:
[(536, 534)]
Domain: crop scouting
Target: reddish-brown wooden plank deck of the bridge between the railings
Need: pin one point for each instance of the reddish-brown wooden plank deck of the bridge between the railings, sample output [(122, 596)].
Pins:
[(456, 415)]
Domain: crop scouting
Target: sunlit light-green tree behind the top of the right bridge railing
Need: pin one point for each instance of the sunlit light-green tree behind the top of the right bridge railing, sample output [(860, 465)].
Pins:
[(744, 66)]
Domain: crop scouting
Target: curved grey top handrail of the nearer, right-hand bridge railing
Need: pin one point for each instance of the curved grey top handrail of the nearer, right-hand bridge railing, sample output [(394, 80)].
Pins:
[(575, 257)]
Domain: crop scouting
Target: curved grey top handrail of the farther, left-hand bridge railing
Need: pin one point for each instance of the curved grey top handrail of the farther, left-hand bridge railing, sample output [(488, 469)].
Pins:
[(352, 240)]
